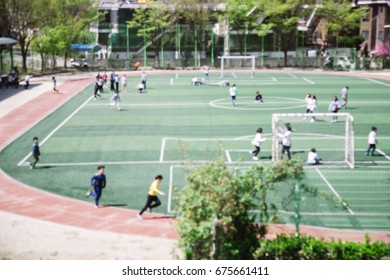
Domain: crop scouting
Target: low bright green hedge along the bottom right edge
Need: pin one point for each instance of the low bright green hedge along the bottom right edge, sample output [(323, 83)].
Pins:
[(309, 248)]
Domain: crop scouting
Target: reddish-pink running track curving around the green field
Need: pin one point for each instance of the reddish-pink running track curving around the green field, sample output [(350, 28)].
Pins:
[(18, 198)]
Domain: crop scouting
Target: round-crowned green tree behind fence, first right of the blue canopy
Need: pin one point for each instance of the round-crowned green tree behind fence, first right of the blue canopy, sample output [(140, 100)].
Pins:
[(152, 22)]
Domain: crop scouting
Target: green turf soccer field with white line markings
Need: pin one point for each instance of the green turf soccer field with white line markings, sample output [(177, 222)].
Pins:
[(160, 131)]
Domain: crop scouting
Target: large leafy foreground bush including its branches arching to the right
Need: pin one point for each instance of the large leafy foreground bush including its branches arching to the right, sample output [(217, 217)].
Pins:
[(217, 221)]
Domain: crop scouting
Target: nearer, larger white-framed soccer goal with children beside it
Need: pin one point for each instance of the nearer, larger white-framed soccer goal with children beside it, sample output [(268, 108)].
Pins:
[(331, 134)]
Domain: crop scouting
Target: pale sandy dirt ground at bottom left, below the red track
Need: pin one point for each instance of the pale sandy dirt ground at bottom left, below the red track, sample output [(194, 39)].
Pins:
[(23, 238)]
